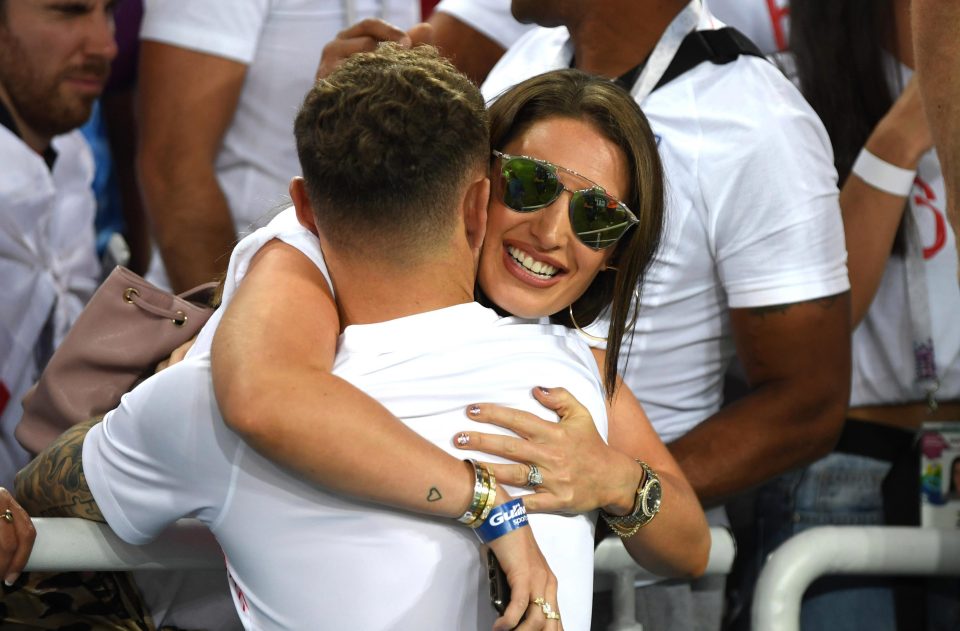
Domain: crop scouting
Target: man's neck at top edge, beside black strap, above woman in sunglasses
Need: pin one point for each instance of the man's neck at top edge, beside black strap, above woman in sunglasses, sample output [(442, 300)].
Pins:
[(612, 37)]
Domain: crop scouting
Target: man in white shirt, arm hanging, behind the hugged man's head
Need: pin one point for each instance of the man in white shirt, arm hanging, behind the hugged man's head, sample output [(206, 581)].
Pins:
[(220, 83)]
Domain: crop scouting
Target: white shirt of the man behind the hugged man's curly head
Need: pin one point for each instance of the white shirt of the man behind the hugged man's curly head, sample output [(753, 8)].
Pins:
[(280, 41)]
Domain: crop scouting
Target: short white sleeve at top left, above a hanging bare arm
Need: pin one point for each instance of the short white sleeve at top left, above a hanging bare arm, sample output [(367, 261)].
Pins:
[(225, 29)]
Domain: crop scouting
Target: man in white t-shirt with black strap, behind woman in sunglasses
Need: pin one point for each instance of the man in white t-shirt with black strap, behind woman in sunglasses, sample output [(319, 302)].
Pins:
[(752, 264)]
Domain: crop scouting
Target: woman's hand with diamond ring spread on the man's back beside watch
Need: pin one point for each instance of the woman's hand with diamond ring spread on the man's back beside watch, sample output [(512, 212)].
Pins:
[(580, 471)]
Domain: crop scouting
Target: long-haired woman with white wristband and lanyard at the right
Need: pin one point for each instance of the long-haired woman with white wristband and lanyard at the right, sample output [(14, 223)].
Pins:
[(904, 297)]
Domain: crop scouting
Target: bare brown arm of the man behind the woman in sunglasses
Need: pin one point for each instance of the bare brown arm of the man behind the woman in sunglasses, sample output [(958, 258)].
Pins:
[(797, 361)]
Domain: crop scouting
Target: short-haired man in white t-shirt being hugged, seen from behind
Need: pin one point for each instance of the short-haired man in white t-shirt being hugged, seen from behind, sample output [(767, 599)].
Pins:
[(300, 557)]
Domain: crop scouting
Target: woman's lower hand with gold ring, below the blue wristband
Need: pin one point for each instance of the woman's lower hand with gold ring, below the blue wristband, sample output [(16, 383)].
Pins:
[(530, 579)]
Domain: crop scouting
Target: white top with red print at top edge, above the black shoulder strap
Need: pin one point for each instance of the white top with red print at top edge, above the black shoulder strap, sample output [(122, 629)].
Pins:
[(765, 22)]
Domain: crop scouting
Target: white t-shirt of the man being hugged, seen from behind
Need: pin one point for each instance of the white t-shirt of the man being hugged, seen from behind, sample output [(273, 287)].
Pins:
[(312, 559)]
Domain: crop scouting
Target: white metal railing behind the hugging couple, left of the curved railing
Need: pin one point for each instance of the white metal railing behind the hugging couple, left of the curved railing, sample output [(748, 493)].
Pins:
[(77, 544)]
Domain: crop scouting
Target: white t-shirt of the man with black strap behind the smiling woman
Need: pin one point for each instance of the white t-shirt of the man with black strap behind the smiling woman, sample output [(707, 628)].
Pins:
[(753, 218)]
